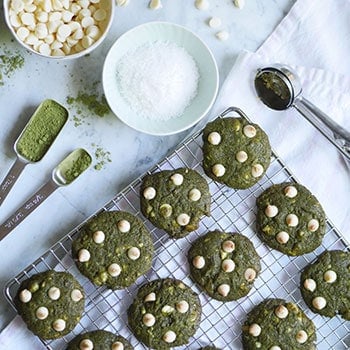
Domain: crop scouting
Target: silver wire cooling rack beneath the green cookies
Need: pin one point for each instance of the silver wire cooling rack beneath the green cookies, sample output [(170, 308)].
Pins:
[(232, 211)]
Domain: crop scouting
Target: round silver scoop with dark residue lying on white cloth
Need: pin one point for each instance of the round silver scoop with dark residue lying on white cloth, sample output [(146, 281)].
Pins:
[(279, 88)]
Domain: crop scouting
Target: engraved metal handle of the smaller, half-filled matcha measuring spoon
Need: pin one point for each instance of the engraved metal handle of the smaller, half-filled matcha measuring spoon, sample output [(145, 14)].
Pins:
[(30, 205)]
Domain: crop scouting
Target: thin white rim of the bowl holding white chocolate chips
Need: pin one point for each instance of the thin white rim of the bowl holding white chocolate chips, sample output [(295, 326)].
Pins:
[(66, 57)]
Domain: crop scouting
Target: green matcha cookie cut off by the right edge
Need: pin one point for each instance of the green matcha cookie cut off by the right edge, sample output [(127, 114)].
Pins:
[(325, 284)]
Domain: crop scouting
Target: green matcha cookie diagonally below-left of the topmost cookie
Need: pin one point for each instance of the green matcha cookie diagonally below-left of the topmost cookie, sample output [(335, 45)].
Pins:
[(175, 200)]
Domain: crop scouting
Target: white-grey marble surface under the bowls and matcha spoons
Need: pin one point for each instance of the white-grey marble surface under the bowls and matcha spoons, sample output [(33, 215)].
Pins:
[(131, 153)]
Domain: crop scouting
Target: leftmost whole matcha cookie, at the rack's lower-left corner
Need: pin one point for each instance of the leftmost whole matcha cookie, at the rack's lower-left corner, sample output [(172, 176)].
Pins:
[(50, 303)]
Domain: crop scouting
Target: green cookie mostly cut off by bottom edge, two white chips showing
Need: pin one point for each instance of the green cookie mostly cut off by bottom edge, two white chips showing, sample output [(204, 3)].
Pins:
[(99, 340)]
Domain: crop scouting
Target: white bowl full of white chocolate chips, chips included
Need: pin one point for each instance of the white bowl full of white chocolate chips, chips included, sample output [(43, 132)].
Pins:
[(59, 28)]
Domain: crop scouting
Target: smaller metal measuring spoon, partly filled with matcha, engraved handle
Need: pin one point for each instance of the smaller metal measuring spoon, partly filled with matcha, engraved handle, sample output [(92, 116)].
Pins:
[(64, 174)]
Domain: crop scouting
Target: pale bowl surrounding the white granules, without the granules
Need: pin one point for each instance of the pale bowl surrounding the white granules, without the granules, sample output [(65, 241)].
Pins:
[(166, 32)]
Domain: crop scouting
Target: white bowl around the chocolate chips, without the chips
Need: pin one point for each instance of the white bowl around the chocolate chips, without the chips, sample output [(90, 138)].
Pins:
[(108, 5)]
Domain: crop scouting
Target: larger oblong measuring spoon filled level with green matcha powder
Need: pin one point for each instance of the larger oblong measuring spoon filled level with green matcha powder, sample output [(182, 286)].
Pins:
[(35, 140)]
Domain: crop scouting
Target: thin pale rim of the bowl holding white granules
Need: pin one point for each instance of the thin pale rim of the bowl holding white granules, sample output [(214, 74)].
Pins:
[(212, 57)]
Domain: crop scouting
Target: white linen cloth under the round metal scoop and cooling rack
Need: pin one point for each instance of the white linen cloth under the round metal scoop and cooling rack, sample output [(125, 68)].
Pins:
[(314, 38)]
